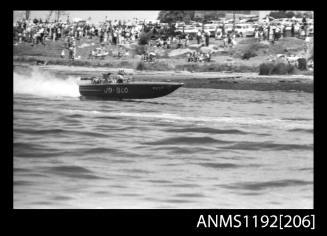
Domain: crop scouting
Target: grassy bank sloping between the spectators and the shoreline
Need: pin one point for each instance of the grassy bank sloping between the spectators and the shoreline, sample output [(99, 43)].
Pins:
[(246, 56)]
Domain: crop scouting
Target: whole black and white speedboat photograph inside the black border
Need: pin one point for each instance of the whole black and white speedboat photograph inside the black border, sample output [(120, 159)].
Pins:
[(153, 109)]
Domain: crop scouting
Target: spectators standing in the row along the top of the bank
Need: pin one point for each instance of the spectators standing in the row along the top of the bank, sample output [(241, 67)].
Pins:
[(38, 31)]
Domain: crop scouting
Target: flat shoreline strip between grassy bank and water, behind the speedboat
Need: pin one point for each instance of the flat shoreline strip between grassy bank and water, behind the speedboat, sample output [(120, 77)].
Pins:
[(214, 80)]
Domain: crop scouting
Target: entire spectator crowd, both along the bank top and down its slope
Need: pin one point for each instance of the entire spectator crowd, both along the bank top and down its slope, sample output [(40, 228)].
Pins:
[(37, 31)]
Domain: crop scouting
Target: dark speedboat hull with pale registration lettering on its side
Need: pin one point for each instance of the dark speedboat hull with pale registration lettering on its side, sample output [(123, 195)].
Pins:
[(132, 90)]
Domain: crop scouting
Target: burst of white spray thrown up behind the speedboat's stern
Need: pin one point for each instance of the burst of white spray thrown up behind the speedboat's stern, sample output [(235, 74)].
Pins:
[(45, 84)]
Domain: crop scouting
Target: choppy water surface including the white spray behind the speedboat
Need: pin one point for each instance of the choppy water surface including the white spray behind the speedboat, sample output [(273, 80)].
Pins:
[(195, 148)]
